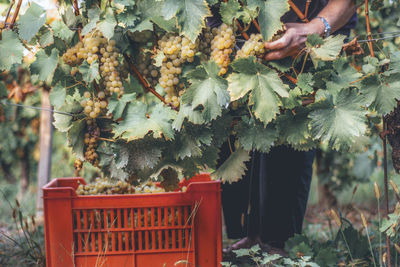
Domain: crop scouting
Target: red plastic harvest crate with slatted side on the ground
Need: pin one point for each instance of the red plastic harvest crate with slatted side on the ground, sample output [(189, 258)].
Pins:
[(142, 230)]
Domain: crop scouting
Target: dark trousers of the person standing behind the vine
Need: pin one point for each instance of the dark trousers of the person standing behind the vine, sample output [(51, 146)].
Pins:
[(275, 191)]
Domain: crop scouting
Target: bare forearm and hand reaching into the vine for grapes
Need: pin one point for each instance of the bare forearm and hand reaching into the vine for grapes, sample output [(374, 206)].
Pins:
[(336, 12)]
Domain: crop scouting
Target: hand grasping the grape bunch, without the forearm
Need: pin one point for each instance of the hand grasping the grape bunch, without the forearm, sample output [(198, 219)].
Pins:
[(293, 40)]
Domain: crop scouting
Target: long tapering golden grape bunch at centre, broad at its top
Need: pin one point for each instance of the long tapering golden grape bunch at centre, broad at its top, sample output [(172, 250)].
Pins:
[(177, 50)]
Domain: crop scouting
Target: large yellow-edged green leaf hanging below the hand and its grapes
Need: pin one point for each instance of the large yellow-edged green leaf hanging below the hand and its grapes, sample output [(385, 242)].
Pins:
[(262, 83)]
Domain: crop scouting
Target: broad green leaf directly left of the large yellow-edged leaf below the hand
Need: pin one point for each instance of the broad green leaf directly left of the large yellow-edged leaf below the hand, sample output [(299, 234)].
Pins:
[(207, 90)]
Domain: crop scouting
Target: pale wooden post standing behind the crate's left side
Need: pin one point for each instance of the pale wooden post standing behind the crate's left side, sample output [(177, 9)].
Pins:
[(45, 146)]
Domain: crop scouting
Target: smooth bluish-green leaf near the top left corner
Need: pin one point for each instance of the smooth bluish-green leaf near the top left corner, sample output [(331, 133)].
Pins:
[(31, 21)]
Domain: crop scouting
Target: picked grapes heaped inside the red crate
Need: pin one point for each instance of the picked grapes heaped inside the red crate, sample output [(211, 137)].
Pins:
[(103, 186)]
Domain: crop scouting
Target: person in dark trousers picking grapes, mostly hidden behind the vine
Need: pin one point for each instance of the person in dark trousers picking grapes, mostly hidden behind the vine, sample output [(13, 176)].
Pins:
[(279, 181)]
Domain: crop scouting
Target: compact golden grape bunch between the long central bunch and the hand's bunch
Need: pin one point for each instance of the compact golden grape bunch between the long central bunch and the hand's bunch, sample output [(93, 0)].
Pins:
[(222, 46)]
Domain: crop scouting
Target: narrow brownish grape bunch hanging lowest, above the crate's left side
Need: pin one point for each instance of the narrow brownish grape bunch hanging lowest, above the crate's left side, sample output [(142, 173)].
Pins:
[(91, 136)]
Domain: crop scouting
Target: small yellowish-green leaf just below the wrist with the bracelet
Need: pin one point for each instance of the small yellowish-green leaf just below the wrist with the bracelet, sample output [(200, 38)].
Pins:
[(329, 50)]
